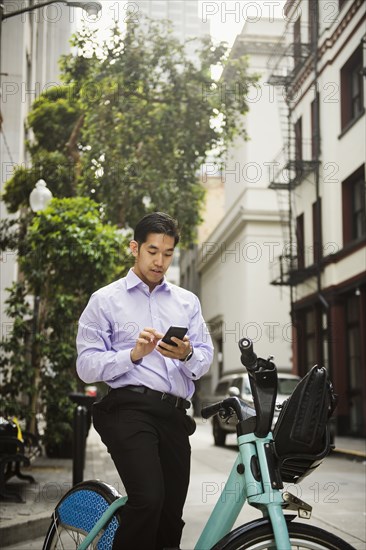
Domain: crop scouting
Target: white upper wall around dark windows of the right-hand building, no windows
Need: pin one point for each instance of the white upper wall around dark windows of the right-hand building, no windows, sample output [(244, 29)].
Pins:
[(340, 154)]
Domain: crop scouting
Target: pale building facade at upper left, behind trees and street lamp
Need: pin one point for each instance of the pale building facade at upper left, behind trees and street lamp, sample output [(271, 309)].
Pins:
[(31, 45)]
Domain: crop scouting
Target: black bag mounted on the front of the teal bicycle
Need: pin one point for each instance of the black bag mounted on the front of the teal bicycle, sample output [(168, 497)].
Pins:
[(301, 434)]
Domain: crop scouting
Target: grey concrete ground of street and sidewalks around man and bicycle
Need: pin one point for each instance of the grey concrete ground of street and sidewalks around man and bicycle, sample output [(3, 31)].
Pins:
[(28, 521)]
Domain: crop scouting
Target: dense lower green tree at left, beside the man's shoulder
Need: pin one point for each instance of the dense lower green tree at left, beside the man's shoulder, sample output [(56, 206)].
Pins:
[(66, 254)]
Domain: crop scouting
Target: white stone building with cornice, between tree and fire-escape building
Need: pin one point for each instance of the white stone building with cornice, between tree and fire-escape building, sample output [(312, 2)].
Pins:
[(234, 259)]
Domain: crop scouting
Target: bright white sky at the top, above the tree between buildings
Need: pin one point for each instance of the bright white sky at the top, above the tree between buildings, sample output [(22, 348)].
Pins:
[(226, 18)]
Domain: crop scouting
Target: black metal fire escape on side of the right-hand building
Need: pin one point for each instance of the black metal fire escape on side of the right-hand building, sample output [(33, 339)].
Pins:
[(292, 61)]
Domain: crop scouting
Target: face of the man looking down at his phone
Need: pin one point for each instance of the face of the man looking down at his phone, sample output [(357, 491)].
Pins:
[(153, 257)]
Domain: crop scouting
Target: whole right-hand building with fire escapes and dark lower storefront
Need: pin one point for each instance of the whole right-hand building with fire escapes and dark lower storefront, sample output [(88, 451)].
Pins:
[(321, 73)]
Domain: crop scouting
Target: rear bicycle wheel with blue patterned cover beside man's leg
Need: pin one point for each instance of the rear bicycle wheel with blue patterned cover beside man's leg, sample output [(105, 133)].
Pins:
[(76, 514)]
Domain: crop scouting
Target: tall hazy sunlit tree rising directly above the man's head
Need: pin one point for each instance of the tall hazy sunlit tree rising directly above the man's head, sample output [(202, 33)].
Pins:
[(149, 121)]
